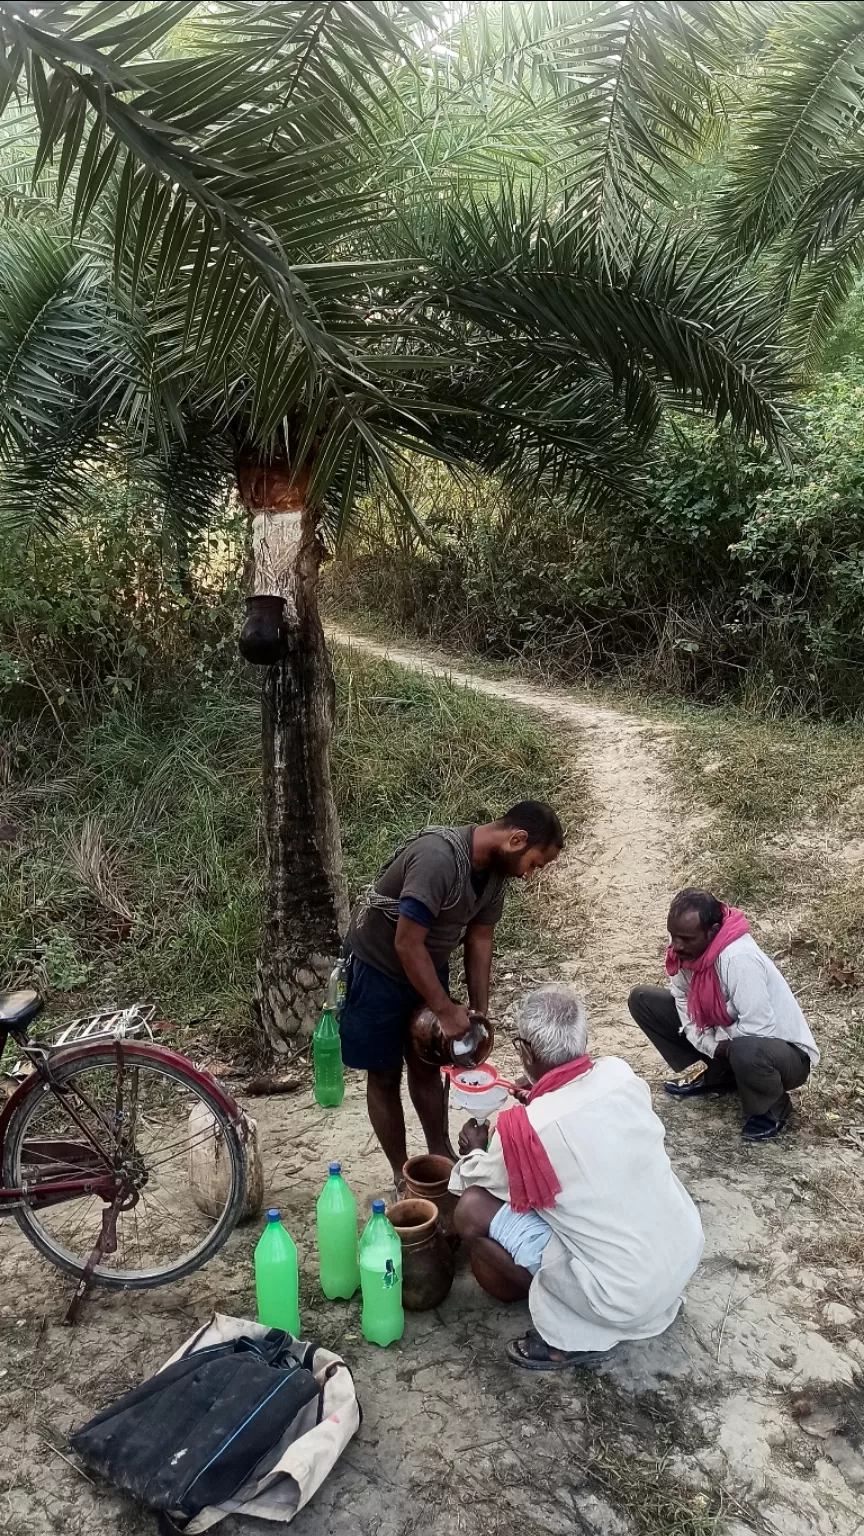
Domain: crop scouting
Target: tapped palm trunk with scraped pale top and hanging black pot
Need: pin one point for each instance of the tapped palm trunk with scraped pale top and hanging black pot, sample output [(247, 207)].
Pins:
[(305, 899)]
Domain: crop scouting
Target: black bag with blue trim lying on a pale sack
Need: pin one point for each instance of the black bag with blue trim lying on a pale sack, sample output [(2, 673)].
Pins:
[(198, 1432)]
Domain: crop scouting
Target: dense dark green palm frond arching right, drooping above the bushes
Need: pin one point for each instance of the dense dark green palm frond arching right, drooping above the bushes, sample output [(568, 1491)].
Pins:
[(673, 313)]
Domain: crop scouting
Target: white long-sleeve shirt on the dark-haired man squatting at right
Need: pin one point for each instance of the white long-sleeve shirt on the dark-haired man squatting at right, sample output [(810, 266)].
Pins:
[(759, 1002)]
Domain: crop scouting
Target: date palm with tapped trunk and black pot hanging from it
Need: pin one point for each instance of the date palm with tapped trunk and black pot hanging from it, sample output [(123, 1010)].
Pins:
[(299, 243)]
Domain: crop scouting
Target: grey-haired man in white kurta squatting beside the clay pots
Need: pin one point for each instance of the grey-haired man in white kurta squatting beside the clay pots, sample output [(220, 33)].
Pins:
[(574, 1202)]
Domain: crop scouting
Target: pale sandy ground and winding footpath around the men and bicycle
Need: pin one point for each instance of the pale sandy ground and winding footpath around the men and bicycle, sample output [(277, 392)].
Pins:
[(746, 1417)]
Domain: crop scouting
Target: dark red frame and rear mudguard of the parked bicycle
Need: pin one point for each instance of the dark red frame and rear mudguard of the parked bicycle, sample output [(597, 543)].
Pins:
[(41, 1194)]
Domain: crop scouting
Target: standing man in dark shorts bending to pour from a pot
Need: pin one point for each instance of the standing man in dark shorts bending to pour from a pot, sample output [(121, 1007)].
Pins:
[(444, 887)]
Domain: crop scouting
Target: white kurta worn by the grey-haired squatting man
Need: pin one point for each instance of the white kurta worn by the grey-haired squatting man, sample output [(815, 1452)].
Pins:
[(626, 1237)]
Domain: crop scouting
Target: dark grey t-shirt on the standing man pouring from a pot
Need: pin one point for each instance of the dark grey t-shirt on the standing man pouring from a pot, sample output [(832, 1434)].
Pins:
[(427, 873)]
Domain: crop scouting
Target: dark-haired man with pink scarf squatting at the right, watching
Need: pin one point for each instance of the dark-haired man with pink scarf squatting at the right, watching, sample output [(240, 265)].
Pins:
[(728, 1007)]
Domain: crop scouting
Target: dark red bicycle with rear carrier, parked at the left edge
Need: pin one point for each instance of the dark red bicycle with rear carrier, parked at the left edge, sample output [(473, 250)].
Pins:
[(96, 1145)]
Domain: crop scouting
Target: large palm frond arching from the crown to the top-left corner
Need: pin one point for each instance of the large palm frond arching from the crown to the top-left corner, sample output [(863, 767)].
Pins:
[(107, 118)]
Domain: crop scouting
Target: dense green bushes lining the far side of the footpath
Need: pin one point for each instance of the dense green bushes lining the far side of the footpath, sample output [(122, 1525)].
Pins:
[(740, 574)]
